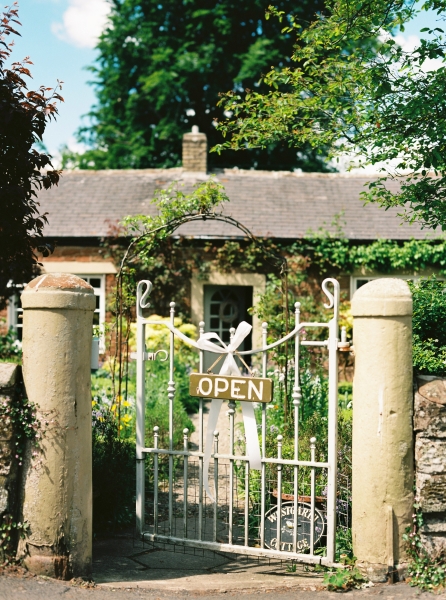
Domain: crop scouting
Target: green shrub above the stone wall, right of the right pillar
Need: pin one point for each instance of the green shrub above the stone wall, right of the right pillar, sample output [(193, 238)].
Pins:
[(429, 326)]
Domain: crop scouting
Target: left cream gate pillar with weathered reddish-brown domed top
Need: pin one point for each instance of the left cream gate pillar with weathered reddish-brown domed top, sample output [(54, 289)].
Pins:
[(57, 333)]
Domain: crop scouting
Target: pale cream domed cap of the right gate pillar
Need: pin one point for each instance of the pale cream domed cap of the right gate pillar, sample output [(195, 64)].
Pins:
[(386, 297)]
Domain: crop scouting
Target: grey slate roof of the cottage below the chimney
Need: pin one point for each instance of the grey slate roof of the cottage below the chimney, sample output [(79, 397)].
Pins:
[(271, 204)]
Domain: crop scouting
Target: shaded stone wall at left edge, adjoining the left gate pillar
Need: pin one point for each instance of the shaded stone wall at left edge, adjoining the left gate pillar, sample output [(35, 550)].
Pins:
[(10, 378)]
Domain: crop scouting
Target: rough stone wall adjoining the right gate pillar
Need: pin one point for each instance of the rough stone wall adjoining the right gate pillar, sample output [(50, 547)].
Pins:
[(430, 459)]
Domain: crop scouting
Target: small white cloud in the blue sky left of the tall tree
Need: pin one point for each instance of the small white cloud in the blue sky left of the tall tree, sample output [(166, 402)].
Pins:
[(82, 22)]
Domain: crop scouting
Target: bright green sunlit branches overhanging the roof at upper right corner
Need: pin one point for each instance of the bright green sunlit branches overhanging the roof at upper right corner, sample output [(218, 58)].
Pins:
[(381, 105)]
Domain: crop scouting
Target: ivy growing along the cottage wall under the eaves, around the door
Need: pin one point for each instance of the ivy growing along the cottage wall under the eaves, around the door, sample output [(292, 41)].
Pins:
[(321, 254)]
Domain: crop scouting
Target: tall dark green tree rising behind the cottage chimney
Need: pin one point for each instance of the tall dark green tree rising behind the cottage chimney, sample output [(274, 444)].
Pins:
[(162, 65)]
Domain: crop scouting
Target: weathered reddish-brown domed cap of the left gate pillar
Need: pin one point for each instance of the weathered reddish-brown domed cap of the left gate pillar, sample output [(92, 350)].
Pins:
[(59, 290)]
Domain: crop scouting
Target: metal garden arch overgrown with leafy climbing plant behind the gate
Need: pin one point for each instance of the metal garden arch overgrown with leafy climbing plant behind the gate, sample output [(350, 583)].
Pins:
[(152, 235)]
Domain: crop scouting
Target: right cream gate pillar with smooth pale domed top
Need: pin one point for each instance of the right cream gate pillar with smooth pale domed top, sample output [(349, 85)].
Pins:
[(383, 475)]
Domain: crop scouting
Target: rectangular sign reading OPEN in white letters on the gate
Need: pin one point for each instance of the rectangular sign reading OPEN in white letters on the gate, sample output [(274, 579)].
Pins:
[(247, 389)]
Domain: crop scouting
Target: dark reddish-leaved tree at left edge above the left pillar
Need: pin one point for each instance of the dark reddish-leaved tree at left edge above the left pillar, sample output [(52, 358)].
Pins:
[(23, 169)]
